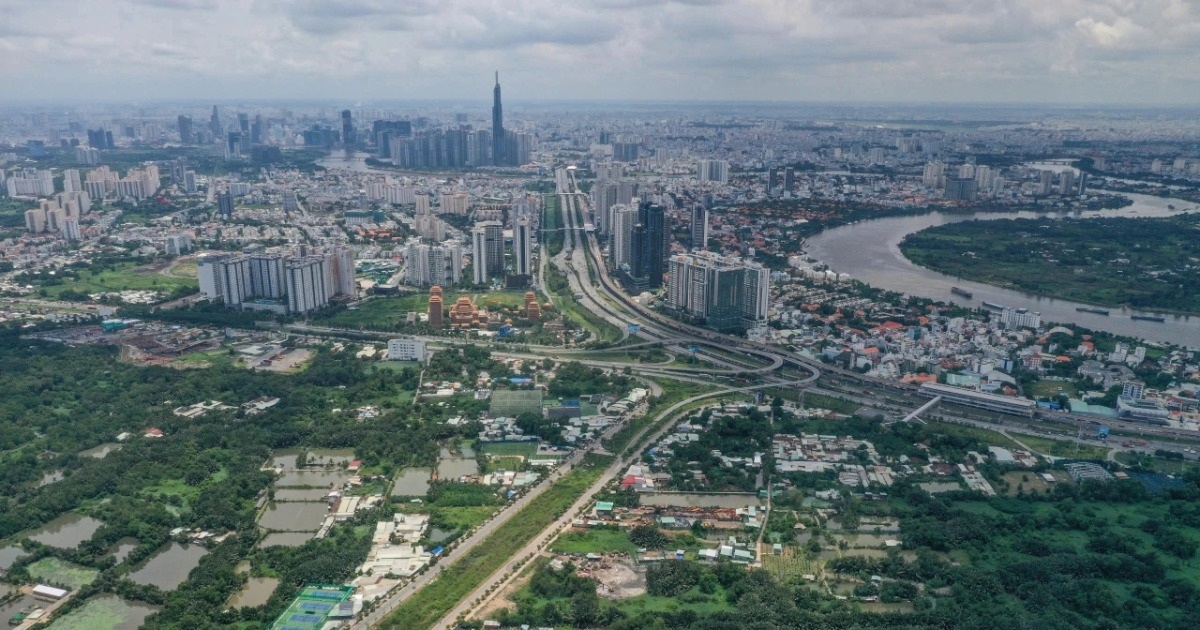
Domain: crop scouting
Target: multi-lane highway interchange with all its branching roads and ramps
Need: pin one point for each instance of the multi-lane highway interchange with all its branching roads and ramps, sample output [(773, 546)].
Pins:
[(727, 357)]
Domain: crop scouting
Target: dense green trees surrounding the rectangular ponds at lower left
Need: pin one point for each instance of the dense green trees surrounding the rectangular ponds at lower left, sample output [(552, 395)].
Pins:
[(205, 473)]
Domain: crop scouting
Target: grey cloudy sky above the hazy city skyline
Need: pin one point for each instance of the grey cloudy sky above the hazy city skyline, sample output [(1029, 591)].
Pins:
[(861, 51)]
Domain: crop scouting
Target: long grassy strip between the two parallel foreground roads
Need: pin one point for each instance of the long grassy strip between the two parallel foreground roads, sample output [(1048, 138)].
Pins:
[(428, 605)]
